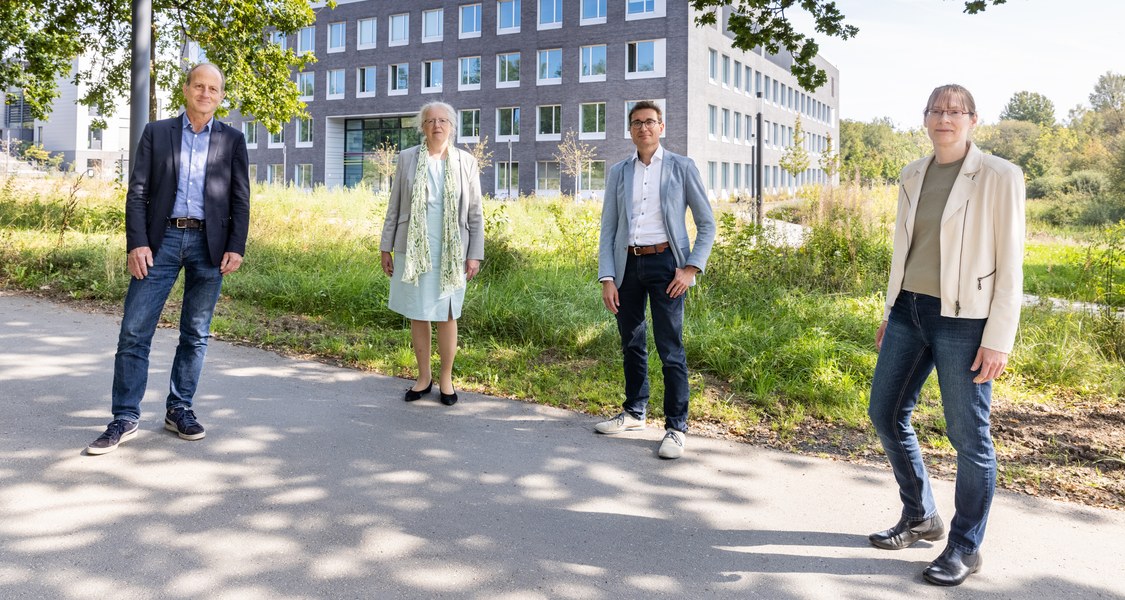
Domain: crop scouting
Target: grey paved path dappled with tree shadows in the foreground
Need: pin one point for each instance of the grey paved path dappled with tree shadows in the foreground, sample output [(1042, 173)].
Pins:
[(321, 482)]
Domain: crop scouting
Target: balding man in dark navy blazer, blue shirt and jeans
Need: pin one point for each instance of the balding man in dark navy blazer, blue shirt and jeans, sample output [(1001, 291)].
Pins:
[(187, 209)]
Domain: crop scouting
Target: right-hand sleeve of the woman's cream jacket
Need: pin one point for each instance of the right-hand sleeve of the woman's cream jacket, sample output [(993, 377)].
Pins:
[(1009, 213)]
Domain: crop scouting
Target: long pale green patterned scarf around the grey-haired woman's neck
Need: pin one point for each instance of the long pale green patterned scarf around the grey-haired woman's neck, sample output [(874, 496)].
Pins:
[(418, 243)]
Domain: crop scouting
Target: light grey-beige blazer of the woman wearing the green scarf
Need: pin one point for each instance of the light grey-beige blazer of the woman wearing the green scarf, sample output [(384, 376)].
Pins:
[(470, 214)]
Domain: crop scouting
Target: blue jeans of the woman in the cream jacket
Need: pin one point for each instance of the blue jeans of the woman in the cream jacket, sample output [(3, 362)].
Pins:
[(919, 339)]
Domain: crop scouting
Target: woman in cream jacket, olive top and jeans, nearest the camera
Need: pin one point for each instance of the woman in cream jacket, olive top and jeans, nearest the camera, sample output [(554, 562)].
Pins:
[(952, 306)]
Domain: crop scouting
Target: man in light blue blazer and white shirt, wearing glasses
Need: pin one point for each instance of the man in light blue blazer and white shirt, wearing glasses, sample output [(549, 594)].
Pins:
[(645, 256)]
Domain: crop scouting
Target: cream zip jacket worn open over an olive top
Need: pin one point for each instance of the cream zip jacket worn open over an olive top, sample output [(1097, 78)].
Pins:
[(982, 241)]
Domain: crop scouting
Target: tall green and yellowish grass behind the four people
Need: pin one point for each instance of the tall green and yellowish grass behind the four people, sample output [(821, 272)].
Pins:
[(775, 333)]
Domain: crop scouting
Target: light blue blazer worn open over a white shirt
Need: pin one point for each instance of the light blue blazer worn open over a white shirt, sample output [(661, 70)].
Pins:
[(681, 189)]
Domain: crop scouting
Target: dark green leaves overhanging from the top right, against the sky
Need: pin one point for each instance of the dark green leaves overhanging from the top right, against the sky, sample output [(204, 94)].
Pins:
[(763, 24)]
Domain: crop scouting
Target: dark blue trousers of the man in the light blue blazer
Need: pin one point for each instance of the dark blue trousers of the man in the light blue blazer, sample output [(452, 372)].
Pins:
[(646, 281)]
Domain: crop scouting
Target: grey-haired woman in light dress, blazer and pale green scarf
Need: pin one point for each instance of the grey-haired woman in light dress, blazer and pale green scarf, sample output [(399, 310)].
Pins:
[(434, 243)]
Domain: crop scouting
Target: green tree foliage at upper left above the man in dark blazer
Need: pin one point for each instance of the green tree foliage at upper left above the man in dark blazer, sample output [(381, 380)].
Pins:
[(41, 39)]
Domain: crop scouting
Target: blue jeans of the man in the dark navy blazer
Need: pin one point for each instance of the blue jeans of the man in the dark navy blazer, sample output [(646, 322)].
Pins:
[(182, 249)]
